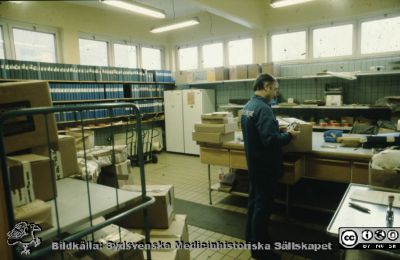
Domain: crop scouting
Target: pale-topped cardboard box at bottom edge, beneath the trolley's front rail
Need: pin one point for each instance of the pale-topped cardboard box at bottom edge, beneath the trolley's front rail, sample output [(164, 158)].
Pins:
[(113, 233)]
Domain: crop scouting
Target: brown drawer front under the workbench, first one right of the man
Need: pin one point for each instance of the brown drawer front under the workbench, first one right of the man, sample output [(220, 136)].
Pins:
[(328, 169)]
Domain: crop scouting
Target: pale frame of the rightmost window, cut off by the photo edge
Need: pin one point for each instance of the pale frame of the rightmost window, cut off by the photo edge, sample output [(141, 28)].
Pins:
[(370, 19)]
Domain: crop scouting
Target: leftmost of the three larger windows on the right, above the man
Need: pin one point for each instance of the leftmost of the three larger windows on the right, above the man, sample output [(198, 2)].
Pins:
[(283, 47)]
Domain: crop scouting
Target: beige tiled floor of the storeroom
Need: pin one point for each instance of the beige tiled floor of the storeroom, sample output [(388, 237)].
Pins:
[(190, 181)]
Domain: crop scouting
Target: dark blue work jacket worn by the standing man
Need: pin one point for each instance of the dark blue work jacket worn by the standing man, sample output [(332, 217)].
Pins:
[(262, 139)]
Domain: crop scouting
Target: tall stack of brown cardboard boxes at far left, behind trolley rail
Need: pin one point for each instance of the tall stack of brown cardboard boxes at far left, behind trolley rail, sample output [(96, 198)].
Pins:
[(27, 142)]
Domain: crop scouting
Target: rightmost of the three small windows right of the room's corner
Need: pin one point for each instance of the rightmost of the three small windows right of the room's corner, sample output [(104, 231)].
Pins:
[(240, 52)]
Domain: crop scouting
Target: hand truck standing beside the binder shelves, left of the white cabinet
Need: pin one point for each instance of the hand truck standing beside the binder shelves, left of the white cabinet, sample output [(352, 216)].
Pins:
[(148, 137)]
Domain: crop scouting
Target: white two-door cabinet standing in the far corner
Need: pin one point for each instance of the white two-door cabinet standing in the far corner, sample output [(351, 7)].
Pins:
[(183, 108)]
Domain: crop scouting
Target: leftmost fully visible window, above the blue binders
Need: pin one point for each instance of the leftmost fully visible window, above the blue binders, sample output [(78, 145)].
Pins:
[(34, 46)]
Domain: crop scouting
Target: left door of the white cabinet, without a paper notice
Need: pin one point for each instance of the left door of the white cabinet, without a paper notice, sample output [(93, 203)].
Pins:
[(174, 121)]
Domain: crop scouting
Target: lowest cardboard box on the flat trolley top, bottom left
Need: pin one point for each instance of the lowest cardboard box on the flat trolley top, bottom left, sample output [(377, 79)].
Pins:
[(37, 212)]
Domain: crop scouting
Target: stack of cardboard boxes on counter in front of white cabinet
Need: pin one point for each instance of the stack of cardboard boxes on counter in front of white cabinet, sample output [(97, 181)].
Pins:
[(215, 128)]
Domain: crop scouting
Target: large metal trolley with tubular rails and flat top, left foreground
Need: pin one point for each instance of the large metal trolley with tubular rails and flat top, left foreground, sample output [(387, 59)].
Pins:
[(76, 203)]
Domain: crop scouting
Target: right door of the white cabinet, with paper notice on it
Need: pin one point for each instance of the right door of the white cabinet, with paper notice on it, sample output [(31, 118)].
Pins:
[(192, 110)]
